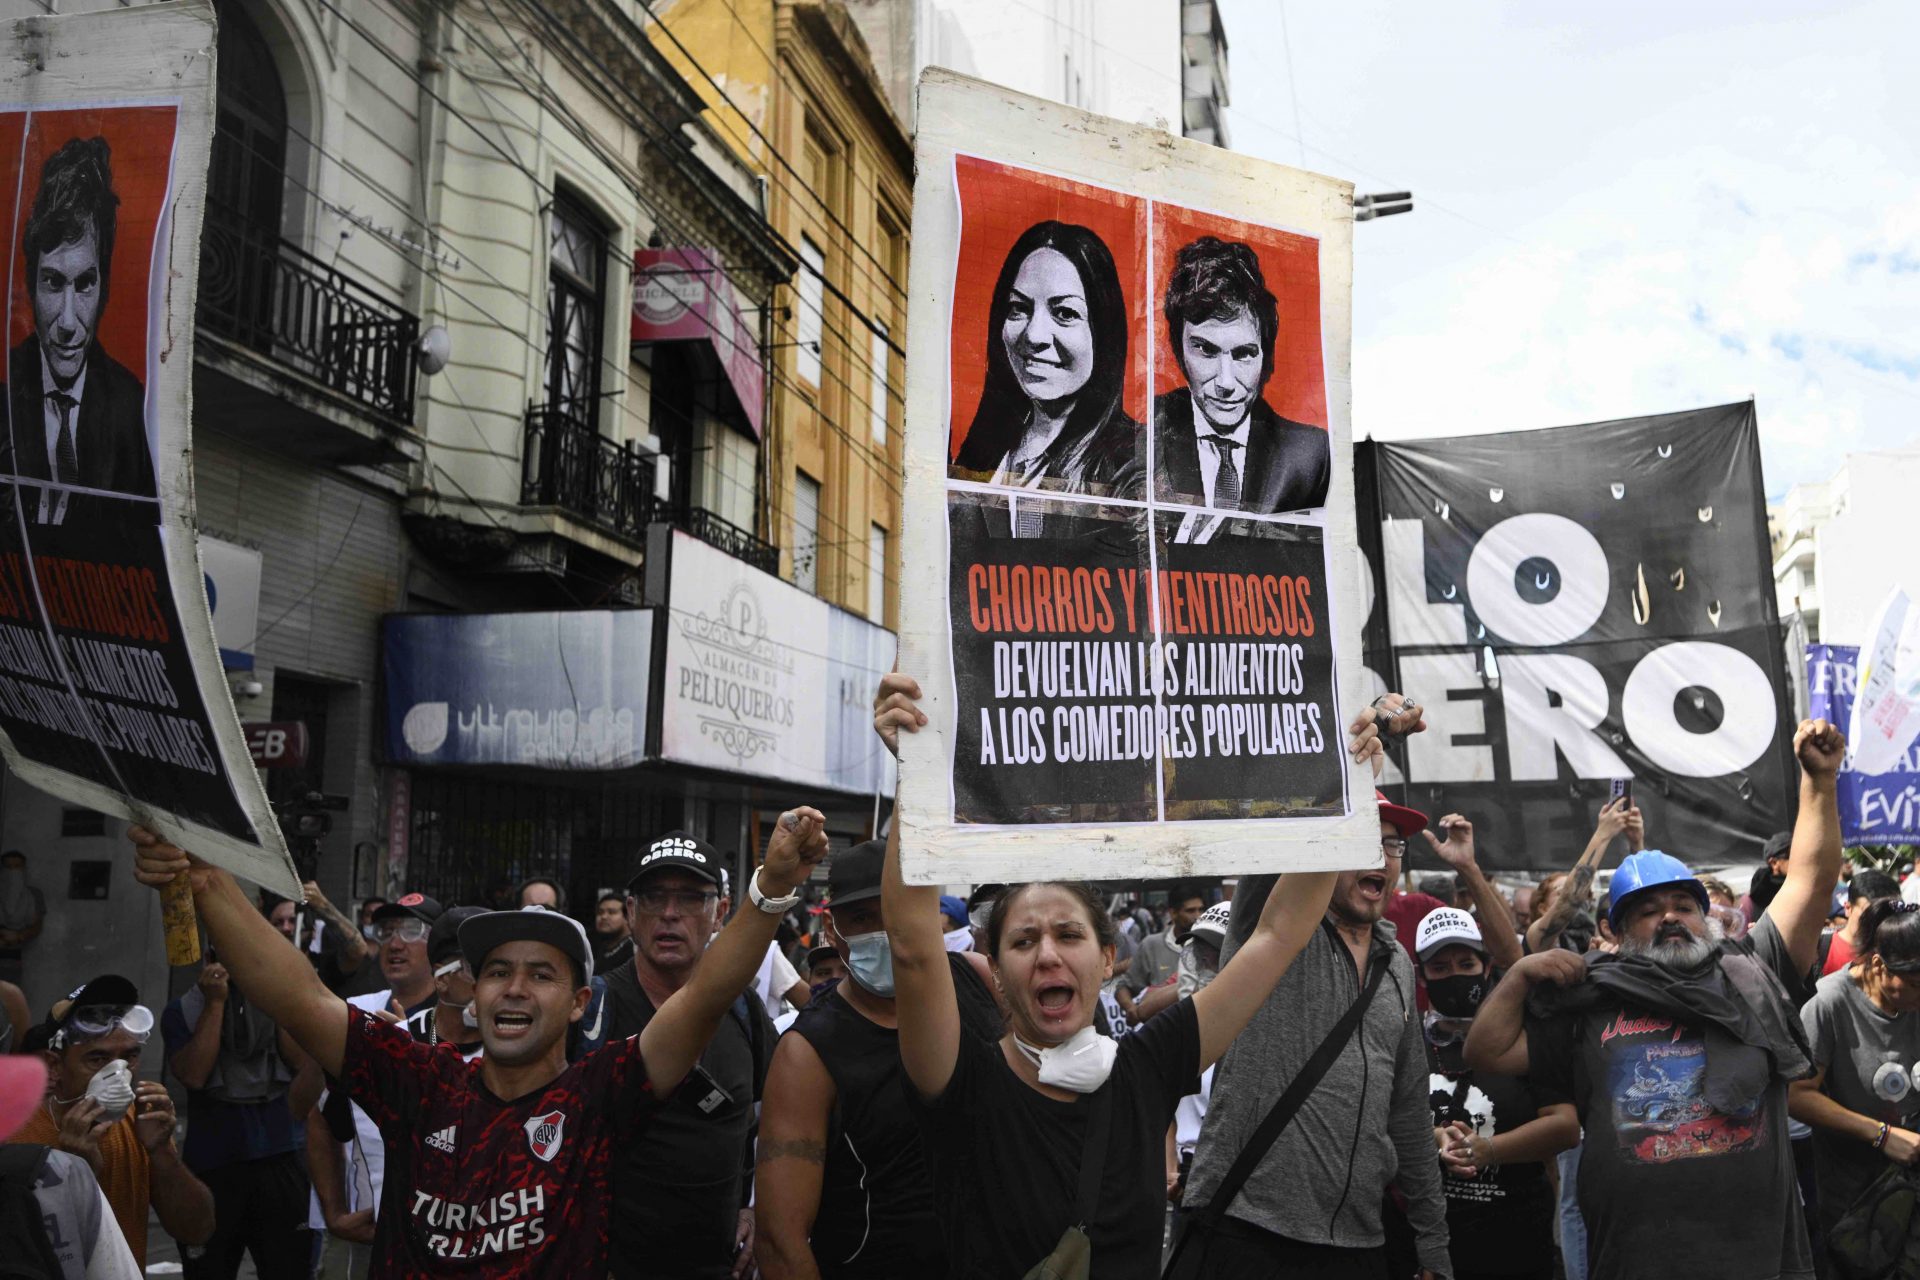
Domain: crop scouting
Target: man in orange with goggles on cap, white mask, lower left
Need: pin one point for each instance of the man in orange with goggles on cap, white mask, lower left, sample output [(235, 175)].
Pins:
[(122, 1127)]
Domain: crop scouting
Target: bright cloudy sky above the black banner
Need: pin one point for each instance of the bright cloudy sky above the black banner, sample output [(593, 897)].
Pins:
[(1621, 208)]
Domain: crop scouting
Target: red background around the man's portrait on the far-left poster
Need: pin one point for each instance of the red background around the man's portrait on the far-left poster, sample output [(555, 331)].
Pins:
[(141, 143)]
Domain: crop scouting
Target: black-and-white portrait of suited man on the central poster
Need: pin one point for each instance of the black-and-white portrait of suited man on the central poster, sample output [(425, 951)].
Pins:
[(1216, 442)]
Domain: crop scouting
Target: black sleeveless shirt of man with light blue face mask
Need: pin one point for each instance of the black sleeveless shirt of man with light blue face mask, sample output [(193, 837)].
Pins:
[(876, 1216)]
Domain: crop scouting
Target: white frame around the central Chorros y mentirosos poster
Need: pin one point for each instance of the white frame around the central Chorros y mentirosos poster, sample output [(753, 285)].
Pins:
[(959, 116)]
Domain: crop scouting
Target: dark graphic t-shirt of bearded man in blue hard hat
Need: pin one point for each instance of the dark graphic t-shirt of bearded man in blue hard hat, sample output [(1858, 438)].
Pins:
[(1669, 1185)]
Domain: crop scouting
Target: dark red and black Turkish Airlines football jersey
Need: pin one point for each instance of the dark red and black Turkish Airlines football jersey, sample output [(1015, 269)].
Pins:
[(487, 1187)]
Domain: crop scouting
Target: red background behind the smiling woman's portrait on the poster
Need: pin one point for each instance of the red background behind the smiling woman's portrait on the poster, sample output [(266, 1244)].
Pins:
[(997, 206)]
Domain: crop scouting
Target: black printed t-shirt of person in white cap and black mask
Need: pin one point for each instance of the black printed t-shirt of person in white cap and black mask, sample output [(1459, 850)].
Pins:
[(1500, 1223)]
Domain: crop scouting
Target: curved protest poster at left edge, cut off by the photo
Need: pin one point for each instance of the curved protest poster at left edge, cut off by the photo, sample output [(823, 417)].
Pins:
[(110, 680)]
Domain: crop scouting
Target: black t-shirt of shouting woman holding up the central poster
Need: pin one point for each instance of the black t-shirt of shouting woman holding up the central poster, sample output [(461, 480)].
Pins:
[(1007, 1158)]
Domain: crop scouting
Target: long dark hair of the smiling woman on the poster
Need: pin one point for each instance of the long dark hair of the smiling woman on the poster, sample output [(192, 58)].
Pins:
[(1003, 404)]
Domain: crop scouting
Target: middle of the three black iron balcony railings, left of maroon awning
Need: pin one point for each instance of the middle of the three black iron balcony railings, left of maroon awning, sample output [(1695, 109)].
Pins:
[(573, 467)]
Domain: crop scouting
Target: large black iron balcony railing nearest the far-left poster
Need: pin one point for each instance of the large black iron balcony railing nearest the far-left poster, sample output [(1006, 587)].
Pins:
[(285, 308)]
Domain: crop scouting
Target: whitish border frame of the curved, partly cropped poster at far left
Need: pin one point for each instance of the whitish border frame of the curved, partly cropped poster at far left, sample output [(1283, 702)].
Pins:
[(158, 55)]
